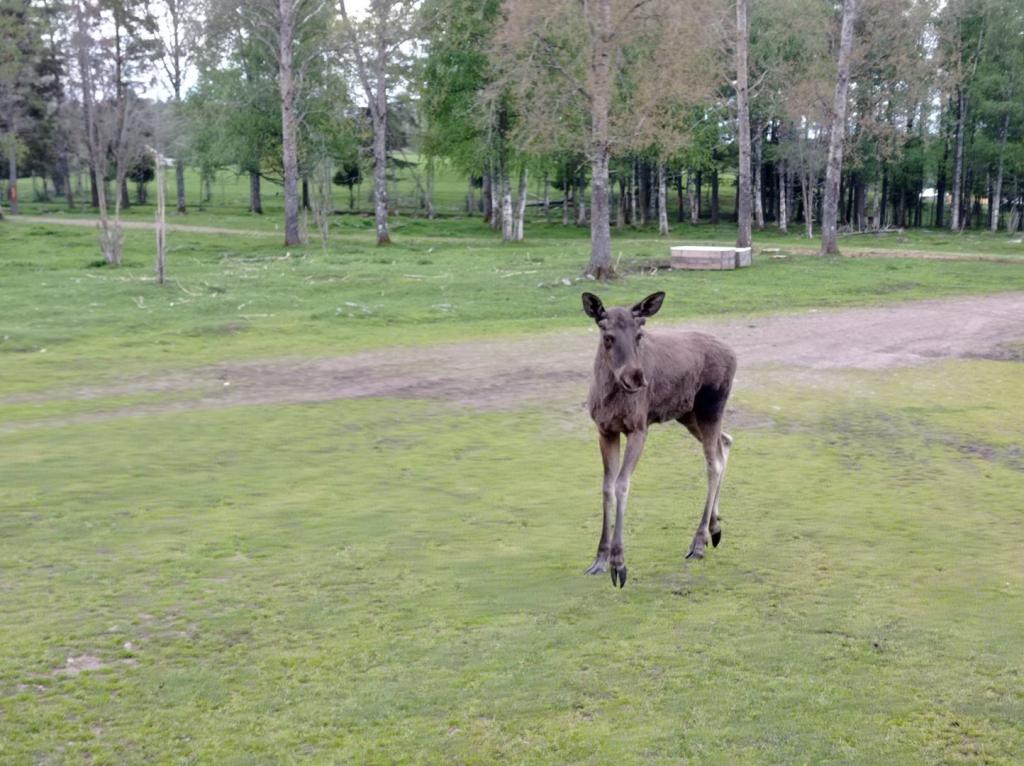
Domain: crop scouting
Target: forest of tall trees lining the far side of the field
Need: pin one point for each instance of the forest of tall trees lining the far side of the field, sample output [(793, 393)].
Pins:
[(861, 115)]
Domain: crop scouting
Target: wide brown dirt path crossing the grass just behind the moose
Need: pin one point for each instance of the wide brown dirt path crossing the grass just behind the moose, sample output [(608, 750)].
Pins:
[(556, 367)]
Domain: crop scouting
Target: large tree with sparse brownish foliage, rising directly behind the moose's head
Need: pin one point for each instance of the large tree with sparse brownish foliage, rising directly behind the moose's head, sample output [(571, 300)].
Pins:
[(582, 77)]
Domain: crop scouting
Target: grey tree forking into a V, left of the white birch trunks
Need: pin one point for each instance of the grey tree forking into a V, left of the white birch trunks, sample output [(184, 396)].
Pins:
[(376, 48)]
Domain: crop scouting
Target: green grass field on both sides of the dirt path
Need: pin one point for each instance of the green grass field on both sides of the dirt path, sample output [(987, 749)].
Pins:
[(399, 581)]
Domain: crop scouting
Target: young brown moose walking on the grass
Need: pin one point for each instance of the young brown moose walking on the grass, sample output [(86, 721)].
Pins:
[(643, 378)]
